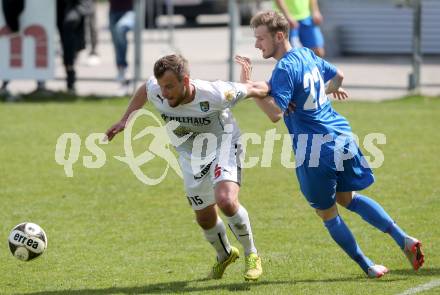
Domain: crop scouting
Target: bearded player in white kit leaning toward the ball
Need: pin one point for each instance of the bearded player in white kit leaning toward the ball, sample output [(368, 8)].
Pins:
[(203, 108)]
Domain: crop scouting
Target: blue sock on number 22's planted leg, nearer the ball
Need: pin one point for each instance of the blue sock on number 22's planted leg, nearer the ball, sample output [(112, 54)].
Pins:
[(344, 238)]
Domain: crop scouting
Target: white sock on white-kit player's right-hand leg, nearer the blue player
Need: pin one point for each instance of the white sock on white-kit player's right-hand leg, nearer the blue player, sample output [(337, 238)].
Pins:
[(241, 227)]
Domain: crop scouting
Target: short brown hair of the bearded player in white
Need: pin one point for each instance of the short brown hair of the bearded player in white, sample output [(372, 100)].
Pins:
[(175, 63)]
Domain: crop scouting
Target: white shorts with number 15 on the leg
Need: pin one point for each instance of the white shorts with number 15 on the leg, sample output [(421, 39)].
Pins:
[(199, 187)]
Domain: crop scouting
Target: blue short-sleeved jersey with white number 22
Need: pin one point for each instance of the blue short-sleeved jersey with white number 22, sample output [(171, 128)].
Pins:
[(300, 77)]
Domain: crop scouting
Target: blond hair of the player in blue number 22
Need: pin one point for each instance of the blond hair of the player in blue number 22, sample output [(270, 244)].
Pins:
[(274, 21)]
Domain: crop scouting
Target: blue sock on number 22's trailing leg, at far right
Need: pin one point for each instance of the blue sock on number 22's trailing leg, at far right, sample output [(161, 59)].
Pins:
[(374, 214)]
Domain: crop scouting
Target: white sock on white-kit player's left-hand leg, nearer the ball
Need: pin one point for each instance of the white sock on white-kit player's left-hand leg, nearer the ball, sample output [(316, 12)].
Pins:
[(216, 236)]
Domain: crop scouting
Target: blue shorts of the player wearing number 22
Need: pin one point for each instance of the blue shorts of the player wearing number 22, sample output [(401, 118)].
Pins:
[(320, 184)]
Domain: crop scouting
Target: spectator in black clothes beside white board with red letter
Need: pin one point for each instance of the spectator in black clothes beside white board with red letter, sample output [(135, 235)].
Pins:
[(71, 16)]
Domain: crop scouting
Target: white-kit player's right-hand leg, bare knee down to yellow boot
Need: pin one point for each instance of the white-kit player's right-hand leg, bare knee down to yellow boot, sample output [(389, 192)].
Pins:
[(226, 195)]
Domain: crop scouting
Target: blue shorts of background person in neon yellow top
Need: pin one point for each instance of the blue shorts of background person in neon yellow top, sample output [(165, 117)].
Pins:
[(308, 33)]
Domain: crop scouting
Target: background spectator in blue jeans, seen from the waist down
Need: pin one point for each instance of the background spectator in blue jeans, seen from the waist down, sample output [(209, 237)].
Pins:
[(122, 18)]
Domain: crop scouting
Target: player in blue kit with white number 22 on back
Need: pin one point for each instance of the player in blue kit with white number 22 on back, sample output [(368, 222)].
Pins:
[(332, 167)]
